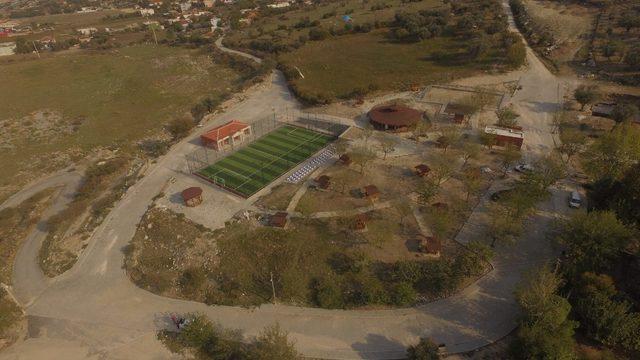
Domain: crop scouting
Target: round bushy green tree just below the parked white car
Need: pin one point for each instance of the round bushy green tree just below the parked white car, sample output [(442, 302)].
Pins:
[(594, 241)]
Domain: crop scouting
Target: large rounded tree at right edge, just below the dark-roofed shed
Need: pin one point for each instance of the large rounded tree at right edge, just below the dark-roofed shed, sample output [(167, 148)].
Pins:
[(611, 155)]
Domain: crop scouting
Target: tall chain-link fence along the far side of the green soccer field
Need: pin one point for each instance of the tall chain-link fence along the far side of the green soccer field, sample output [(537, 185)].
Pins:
[(205, 156)]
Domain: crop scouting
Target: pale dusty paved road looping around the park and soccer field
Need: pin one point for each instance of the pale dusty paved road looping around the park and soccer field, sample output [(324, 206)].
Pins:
[(94, 311)]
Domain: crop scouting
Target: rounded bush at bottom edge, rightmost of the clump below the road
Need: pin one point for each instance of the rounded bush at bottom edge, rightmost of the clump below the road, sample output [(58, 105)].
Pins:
[(273, 344)]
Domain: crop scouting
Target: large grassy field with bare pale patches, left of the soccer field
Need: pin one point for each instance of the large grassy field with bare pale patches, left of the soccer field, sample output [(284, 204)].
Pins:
[(64, 107)]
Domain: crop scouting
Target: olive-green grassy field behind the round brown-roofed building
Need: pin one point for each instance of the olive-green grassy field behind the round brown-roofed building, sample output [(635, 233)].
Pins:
[(340, 66)]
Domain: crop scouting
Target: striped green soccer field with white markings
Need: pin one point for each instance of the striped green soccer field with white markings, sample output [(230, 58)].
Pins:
[(256, 165)]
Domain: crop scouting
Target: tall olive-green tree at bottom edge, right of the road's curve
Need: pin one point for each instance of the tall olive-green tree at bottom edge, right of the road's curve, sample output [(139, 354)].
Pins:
[(545, 331)]
